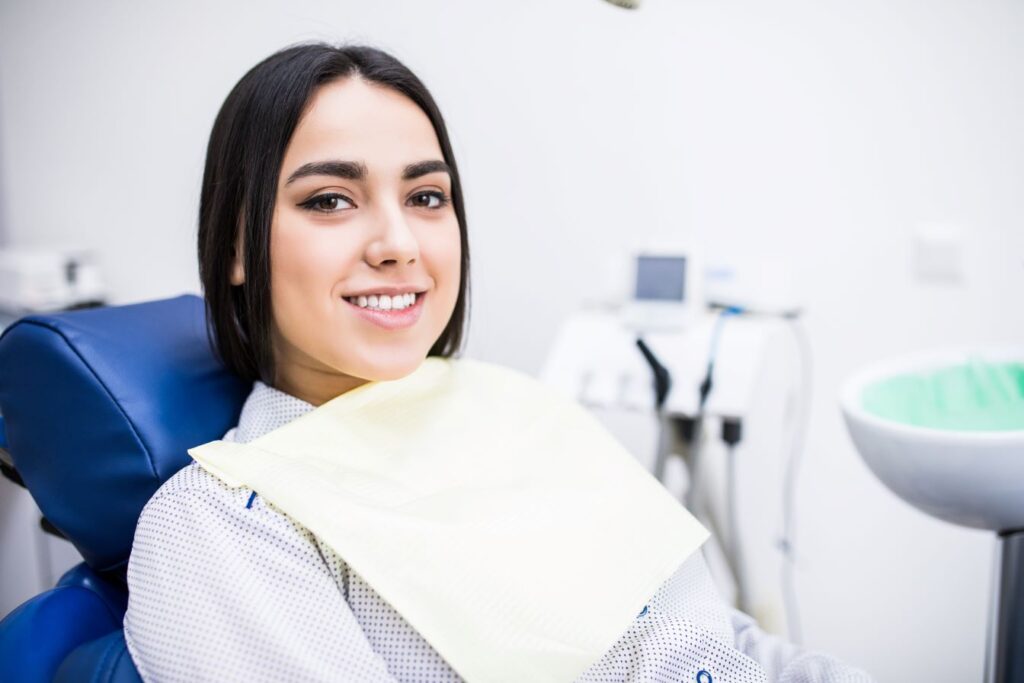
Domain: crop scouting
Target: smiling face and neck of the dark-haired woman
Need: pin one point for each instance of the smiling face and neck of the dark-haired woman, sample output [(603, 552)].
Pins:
[(363, 216)]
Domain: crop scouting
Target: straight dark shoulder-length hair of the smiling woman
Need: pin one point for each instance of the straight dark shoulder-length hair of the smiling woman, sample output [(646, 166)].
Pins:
[(243, 164)]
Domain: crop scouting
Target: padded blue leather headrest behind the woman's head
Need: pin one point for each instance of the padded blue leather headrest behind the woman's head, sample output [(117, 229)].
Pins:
[(100, 407)]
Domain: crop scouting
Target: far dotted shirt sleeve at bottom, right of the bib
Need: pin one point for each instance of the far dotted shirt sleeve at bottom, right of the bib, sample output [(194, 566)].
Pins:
[(786, 663)]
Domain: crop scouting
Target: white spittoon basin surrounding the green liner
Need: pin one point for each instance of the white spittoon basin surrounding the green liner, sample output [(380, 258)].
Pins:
[(971, 479)]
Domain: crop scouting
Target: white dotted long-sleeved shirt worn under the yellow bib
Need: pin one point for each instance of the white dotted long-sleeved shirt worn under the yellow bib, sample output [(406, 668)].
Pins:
[(225, 587)]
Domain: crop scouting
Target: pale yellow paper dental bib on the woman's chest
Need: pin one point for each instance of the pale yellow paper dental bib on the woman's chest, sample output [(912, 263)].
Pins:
[(499, 519)]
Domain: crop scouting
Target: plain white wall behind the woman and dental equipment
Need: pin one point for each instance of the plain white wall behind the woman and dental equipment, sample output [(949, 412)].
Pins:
[(819, 133)]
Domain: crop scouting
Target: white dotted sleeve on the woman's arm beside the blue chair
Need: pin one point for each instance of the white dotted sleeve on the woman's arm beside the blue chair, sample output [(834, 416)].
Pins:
[(221, 590)]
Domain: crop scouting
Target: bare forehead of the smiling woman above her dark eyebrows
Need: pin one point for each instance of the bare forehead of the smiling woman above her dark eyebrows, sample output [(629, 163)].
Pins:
[(352, 119)]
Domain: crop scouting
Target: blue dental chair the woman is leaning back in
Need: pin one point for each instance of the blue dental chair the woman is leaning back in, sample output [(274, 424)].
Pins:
[(100, 407)]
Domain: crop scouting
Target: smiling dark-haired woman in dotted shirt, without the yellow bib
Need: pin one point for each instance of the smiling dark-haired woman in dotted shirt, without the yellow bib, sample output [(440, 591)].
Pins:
[(333, 251)]
